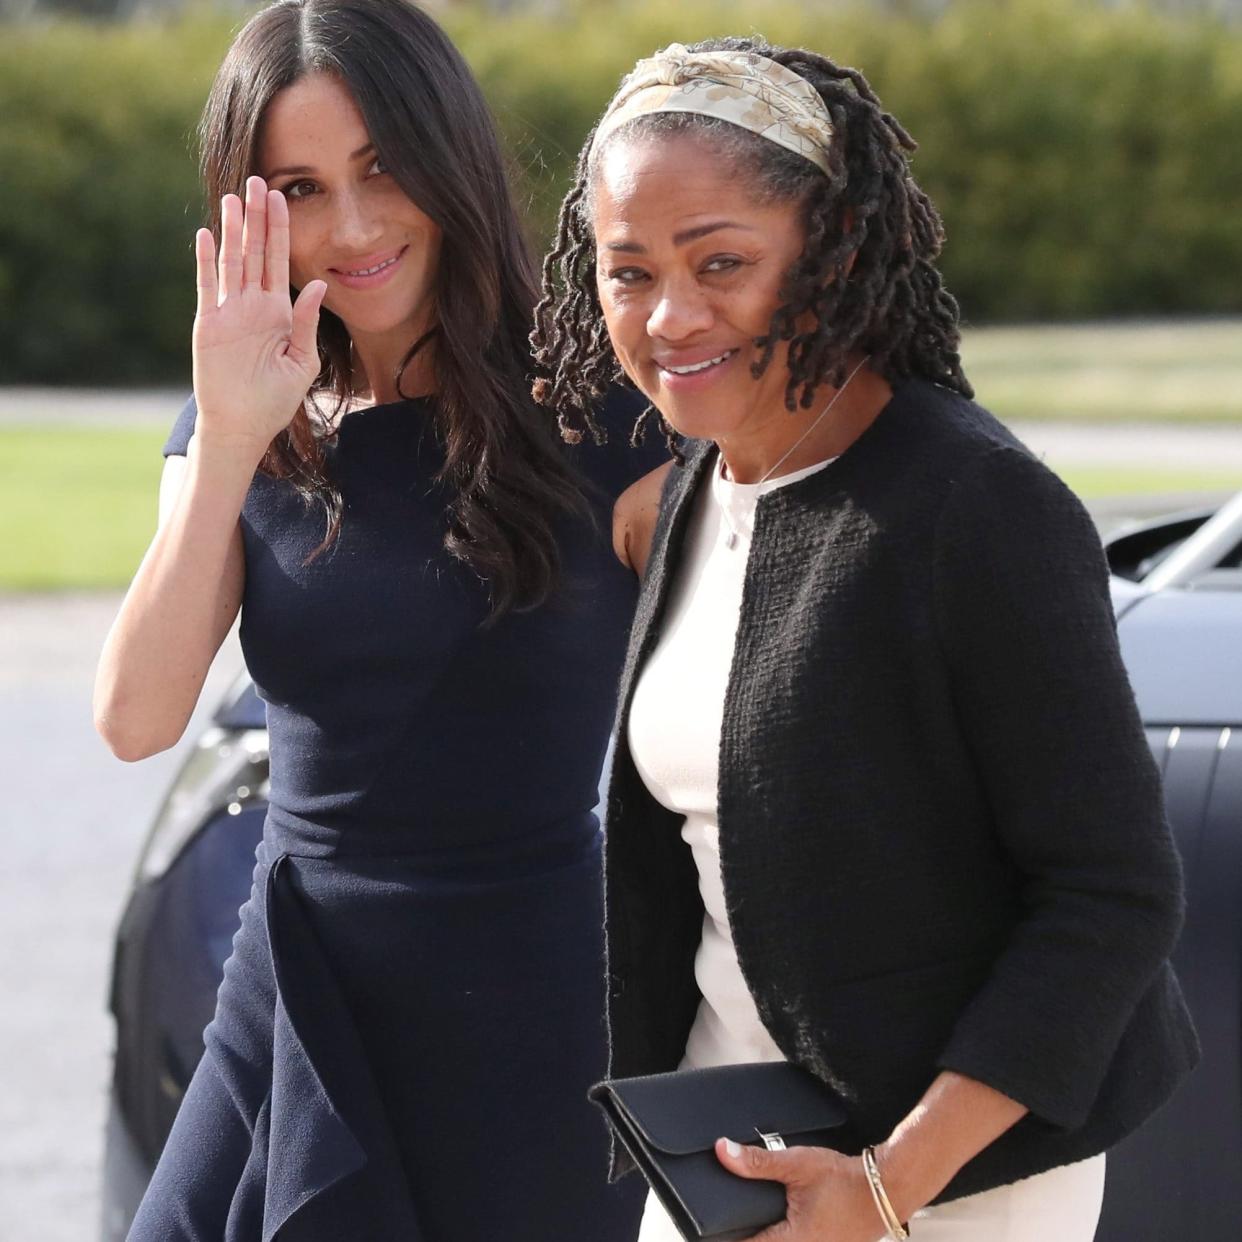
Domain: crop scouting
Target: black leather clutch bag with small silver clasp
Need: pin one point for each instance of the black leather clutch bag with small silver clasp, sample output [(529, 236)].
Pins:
[(670, 1123)]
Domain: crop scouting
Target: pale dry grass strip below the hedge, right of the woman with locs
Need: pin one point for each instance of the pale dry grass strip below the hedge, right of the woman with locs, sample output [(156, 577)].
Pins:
[(1161, 372)]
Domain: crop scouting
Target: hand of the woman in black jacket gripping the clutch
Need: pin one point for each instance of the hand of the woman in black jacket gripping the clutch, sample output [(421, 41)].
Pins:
[(828, 1193)]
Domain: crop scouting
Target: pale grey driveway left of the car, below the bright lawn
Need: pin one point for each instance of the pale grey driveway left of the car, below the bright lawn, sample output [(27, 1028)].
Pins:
[(74, 819)]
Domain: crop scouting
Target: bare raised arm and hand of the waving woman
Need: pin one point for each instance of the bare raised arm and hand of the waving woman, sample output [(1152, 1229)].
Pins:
[(254, 360)]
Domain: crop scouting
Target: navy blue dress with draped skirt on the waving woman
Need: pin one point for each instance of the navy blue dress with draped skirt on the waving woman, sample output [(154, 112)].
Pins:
[(413, 1012)]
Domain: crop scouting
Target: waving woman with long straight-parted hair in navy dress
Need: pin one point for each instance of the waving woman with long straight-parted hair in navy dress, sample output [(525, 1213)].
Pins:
[(430, 607)]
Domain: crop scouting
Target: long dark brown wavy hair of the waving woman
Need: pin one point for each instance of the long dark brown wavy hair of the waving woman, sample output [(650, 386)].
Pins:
[(432, 129)]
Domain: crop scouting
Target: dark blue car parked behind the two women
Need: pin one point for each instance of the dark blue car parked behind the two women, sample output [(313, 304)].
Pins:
[(1178, 591)]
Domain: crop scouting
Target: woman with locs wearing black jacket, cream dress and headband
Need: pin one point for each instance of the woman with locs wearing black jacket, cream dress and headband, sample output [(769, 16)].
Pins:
[(881, 804)]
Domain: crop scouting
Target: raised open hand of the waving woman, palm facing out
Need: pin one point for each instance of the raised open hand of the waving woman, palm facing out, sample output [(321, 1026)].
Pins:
[(255, 353)]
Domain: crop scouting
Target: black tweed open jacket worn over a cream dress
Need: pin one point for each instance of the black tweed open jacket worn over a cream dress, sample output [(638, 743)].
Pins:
[(942, 834)]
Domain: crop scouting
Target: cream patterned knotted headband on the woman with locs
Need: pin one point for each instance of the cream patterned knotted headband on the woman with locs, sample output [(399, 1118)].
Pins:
[(745, 89)]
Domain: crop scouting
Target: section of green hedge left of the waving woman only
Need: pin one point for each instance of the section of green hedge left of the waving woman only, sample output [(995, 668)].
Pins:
[(99, 199)]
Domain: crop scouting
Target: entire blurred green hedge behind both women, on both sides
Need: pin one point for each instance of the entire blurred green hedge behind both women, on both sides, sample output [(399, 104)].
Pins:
[(1085, 158)]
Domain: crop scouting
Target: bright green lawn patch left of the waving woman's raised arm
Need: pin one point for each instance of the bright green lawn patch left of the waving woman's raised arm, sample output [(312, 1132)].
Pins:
[(78, 505)]
